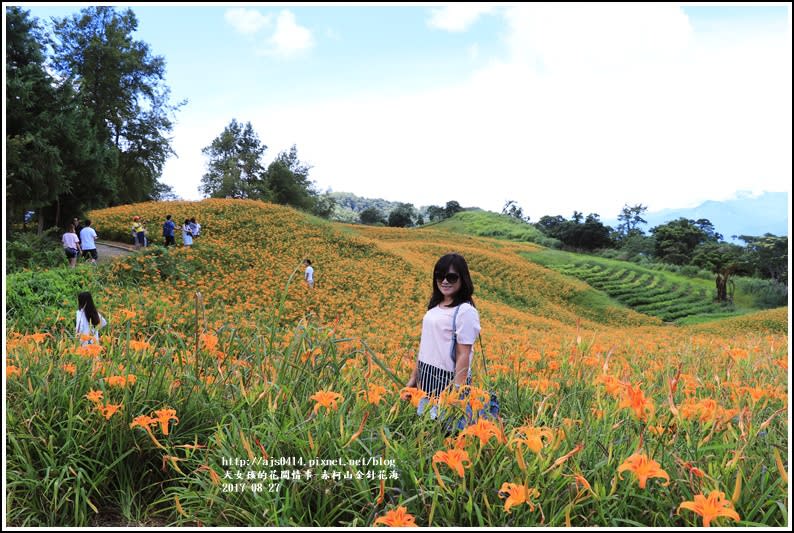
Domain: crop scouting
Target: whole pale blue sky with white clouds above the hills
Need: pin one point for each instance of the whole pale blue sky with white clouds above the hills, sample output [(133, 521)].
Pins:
[(584, 107)]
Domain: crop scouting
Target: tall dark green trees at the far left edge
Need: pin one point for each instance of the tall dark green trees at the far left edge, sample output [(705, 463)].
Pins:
[(87, 124)]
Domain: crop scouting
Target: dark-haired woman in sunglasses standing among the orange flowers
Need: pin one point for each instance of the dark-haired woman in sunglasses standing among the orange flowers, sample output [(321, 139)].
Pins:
[(451, 302)]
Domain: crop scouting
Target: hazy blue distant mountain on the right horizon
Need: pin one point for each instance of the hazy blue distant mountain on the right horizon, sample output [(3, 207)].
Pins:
[(744, 215)]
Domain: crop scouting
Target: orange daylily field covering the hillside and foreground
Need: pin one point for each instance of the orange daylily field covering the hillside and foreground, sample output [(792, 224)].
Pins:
[(225, 392)]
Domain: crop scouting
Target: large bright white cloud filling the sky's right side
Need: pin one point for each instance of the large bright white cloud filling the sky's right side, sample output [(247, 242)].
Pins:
[(621, 111)]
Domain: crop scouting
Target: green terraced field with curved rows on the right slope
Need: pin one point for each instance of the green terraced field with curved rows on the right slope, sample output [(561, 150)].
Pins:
[(646, 291)]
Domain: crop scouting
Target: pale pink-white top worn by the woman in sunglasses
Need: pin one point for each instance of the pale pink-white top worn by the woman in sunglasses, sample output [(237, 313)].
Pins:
[(436, 342)]
